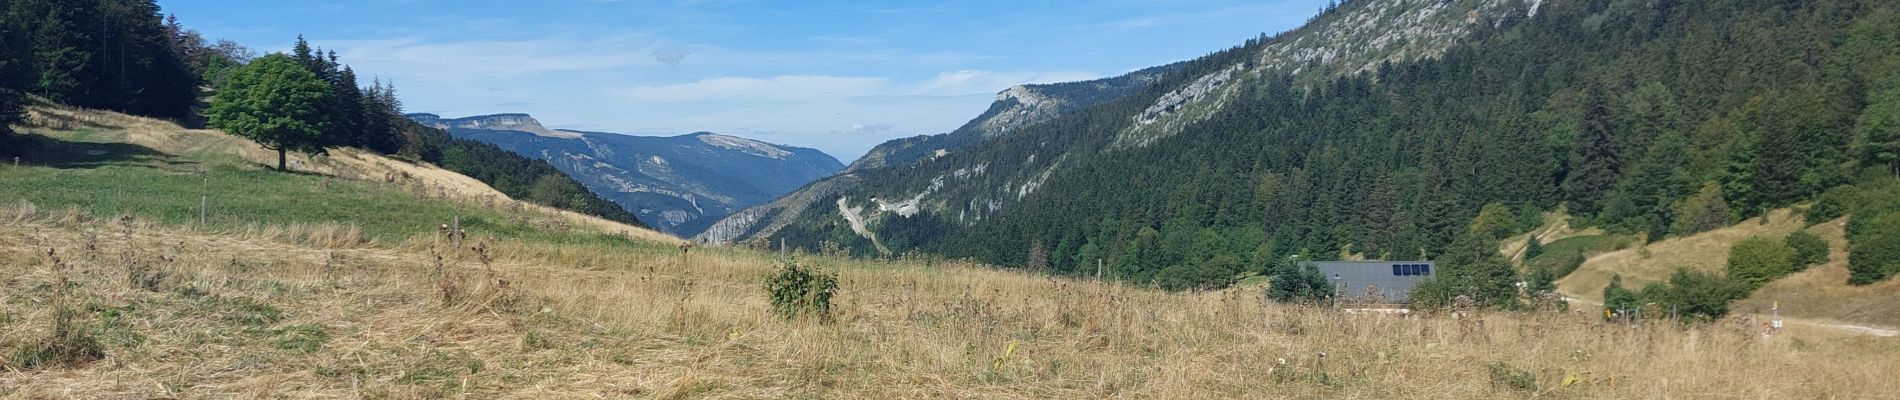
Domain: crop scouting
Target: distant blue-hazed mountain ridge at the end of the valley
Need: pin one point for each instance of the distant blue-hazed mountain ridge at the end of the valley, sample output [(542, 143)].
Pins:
[(679, 185)]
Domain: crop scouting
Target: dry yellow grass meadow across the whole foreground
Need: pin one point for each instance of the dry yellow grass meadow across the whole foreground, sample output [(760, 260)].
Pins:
[(594, 321)]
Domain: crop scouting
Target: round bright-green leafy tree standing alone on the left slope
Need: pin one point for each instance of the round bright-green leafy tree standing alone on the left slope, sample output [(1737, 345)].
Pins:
[(275, 103)]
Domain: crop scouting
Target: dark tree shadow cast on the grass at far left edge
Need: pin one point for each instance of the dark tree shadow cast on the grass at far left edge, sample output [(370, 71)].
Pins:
[(69, 155)]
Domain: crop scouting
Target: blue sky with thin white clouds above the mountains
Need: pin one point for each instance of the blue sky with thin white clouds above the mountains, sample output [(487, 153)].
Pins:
[(837, 77)]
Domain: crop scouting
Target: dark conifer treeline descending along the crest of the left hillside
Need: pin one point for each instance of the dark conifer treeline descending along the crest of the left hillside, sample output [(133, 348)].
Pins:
[(124, 56)]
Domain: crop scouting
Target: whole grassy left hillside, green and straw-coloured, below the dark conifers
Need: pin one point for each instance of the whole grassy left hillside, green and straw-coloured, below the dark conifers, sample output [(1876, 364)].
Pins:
[(102, 156)]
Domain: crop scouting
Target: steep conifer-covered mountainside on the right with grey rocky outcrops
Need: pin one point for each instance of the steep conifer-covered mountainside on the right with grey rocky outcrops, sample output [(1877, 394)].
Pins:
[(1631, 115)]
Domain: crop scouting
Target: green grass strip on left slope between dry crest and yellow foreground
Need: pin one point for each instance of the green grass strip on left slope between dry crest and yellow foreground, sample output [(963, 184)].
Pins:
[(111, 179)]
